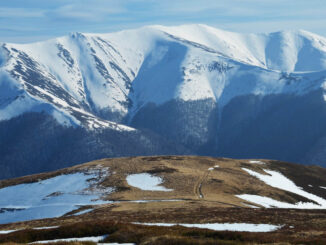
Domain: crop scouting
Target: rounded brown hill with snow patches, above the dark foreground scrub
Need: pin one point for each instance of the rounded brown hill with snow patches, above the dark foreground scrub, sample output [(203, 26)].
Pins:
[(166, 180)]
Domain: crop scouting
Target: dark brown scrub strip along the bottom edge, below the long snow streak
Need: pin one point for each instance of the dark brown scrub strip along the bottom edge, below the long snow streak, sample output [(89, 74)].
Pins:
[(130, 233)]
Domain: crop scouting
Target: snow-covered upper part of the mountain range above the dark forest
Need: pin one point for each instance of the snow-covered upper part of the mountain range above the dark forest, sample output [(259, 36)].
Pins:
[(98, 80)]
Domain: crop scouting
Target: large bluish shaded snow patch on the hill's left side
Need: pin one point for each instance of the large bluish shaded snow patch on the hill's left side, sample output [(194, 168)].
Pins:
[(49, 198)]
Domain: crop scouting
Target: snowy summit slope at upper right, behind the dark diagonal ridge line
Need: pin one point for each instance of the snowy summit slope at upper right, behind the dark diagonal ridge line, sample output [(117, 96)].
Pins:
[(286, 51)]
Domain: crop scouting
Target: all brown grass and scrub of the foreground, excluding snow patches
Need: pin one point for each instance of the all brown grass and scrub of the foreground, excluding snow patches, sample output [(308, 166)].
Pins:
[(189, 177)]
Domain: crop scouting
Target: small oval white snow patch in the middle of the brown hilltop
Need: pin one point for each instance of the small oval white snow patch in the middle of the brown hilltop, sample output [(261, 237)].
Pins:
[(146, 182)]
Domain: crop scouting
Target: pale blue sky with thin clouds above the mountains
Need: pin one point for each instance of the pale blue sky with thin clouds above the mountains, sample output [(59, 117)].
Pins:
[(23, 21)]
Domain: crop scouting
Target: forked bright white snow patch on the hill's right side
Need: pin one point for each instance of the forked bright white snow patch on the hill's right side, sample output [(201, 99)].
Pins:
[(277, 180)]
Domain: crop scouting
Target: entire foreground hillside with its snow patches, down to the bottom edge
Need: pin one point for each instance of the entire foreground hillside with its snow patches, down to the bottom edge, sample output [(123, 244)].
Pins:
[(258, 200)]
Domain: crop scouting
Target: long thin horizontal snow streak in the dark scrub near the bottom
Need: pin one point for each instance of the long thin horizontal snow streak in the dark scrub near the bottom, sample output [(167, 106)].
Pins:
[(223, 226)]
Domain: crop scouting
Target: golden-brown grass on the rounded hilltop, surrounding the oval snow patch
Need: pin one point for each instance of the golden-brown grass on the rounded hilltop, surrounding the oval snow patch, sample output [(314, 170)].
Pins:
[(184, 174)]
